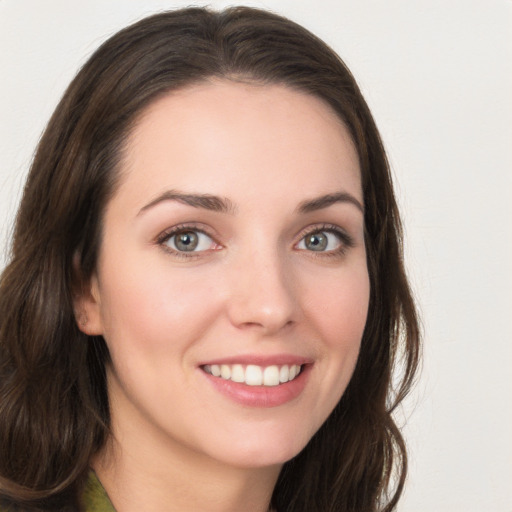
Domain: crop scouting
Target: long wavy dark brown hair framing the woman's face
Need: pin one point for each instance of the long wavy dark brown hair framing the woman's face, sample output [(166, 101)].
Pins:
[(54, 412)]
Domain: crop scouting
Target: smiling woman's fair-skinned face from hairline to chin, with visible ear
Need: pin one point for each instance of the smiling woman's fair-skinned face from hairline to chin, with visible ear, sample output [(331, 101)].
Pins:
[(232, 258)]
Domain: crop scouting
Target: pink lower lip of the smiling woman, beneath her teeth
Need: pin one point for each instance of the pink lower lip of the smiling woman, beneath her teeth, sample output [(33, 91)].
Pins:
[(261, 396)]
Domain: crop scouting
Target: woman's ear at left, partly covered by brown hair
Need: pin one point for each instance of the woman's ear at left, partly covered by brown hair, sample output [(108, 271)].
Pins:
[(87, 304)]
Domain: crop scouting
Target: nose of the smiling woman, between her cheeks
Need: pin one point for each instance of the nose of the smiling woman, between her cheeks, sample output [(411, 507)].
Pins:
[(262, 293)]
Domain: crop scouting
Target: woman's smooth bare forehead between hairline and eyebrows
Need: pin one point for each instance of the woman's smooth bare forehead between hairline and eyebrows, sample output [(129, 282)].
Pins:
[(211, 135)]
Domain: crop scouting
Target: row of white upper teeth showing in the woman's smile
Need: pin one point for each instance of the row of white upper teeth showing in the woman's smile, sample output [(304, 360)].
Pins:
[(253, 375)]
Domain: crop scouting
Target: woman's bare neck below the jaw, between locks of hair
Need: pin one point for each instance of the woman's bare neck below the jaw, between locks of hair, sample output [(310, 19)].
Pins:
[(145, 470)]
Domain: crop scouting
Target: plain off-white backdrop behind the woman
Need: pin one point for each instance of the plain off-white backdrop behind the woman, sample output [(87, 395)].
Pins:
[(437, 75)]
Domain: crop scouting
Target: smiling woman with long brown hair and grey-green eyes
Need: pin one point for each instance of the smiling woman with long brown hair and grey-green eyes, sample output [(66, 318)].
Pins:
[(206, 298)]
